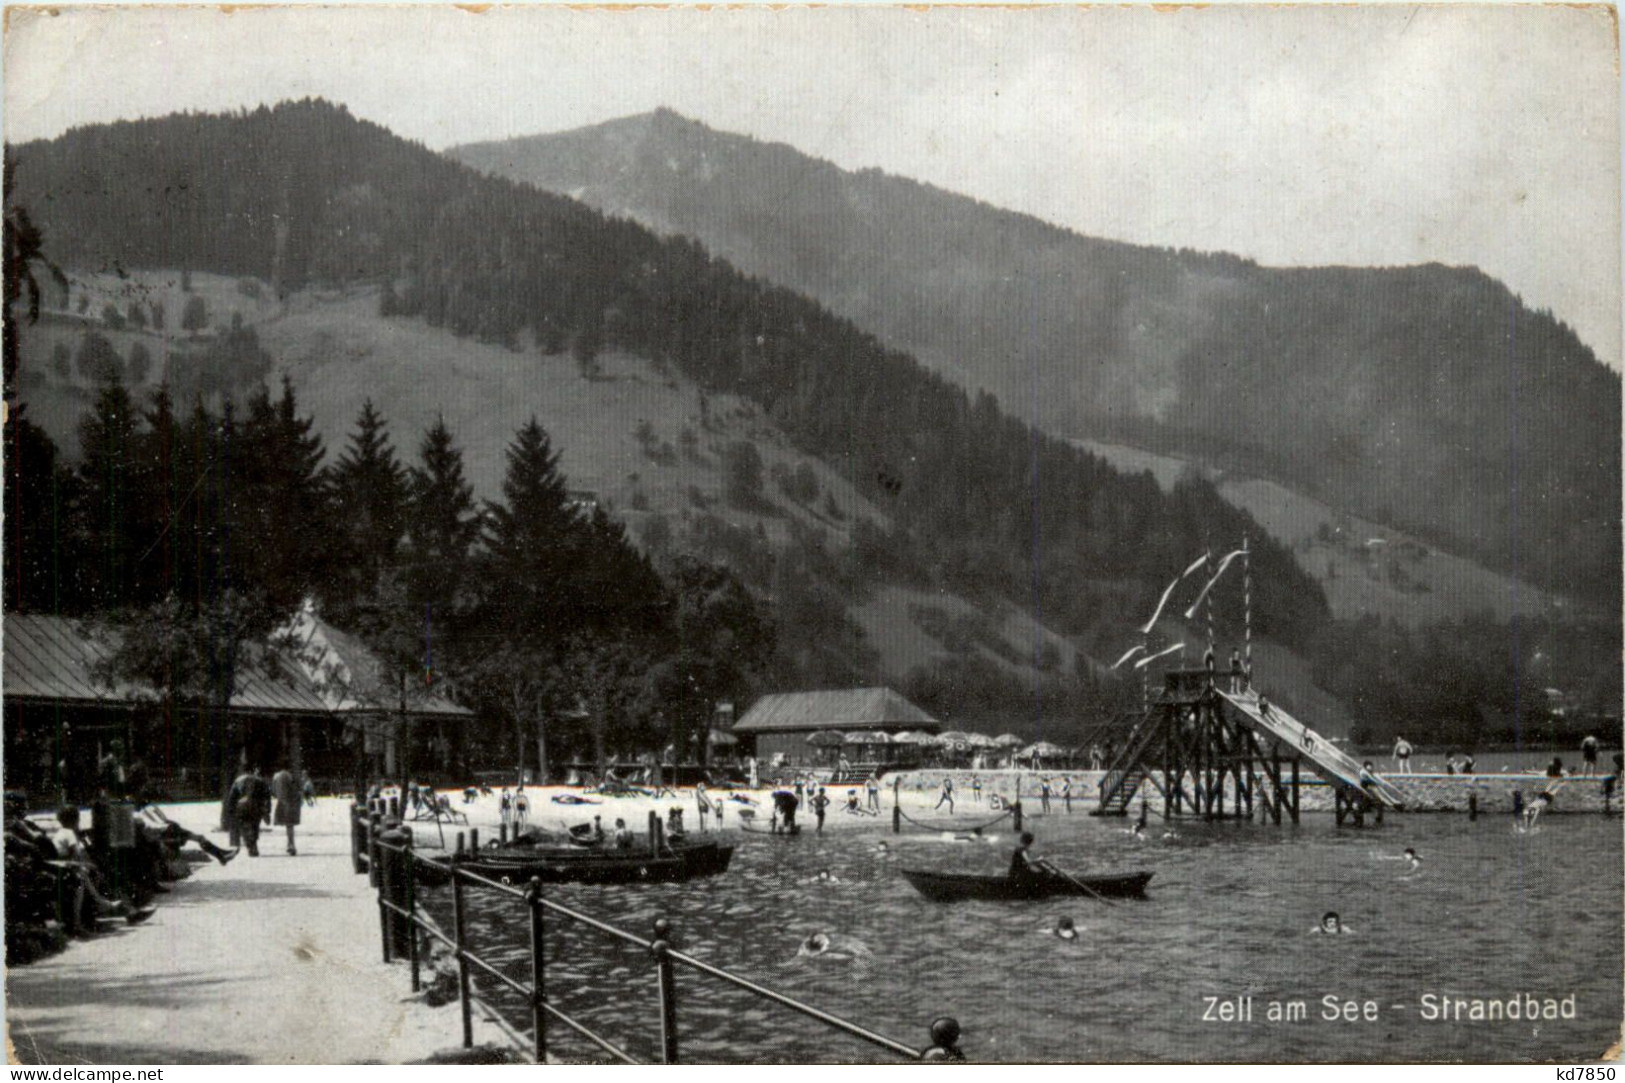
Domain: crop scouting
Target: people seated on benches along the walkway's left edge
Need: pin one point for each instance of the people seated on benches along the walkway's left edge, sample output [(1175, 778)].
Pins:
[(64, 881)]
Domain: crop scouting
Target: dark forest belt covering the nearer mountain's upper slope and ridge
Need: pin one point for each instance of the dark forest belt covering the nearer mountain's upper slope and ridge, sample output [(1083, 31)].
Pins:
[(305, 196)]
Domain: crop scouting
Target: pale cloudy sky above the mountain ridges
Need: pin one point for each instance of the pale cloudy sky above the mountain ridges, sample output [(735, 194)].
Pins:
[(1367, 136)]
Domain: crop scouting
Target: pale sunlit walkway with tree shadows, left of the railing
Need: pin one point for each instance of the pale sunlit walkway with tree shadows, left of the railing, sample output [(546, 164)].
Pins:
[(271, 960)]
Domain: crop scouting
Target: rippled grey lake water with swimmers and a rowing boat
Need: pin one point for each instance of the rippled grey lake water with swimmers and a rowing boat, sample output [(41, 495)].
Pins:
[(1491, 915)]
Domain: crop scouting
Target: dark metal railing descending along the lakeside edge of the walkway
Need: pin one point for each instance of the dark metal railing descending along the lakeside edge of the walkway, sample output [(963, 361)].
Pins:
[(392, 866)]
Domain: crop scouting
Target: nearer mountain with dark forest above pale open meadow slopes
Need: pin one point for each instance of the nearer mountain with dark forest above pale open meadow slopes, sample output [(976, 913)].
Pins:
[(362, 264)]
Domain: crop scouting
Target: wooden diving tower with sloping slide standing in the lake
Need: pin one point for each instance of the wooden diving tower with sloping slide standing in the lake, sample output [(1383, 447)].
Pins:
[(1215, 749)]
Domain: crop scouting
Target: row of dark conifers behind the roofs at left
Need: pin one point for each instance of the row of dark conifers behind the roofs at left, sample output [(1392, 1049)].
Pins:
[(199, 534)]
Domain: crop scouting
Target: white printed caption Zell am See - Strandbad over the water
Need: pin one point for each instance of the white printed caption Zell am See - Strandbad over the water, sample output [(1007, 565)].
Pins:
[(1429, 1007)]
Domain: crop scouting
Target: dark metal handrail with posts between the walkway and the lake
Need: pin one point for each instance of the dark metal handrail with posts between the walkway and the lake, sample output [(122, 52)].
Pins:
[(402, 859)]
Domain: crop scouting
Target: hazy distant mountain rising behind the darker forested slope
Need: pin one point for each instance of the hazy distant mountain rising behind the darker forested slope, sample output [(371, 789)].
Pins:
[(1424, 398)]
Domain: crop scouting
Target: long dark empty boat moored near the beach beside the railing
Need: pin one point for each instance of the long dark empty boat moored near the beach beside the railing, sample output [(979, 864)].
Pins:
[(568, 864)]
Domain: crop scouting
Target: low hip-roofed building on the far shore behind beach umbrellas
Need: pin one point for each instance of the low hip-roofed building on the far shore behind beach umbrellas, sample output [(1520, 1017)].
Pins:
[(782, 723)]
